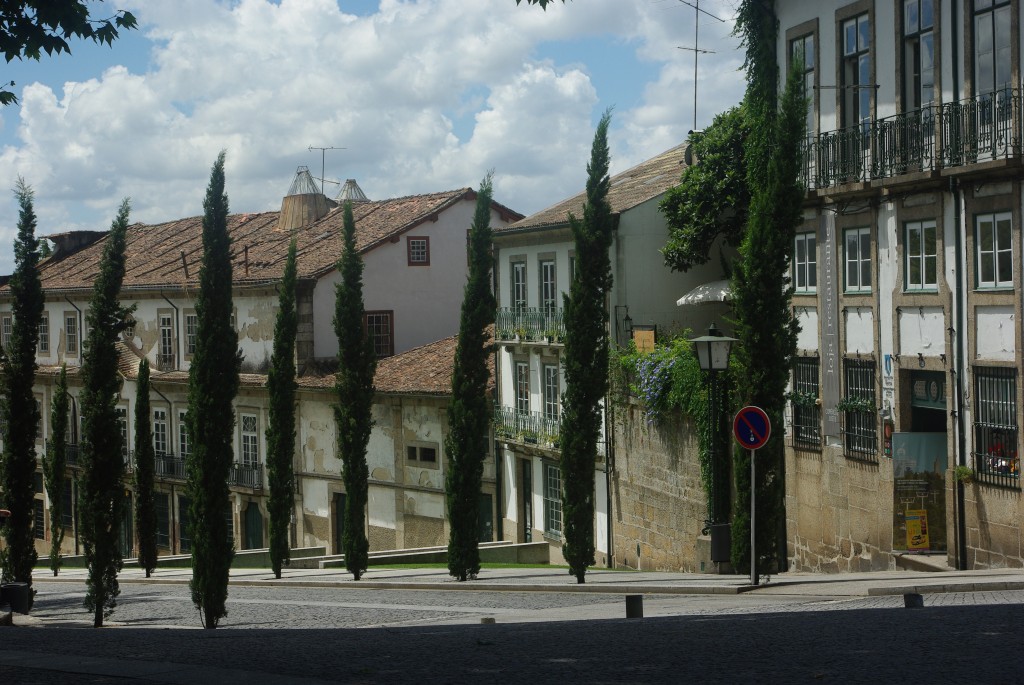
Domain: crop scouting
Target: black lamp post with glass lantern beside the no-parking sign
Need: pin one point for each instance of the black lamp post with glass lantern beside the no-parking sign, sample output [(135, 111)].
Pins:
[(713, 355)]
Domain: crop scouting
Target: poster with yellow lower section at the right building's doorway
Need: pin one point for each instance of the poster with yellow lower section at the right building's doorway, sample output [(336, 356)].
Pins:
[(920, 462)]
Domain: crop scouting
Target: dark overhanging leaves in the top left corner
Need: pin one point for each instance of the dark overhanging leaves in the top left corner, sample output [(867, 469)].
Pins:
[(29, 28)]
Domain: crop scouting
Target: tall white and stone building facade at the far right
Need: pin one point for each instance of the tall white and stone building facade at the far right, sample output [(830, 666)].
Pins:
[(908, 272)]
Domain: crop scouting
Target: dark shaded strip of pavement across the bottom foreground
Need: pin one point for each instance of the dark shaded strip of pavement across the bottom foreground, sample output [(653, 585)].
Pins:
[(934, 645)]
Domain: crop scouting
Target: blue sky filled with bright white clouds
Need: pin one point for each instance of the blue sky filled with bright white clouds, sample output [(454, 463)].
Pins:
[(414, 96)]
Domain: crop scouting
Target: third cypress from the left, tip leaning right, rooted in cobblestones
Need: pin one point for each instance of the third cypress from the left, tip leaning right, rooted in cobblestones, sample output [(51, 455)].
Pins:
[(102, 503)]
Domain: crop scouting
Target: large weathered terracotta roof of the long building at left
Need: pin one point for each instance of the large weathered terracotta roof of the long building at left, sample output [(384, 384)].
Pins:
[(168, 254)]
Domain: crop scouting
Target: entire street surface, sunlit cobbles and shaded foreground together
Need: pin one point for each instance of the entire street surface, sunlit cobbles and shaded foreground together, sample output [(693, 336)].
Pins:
[(434, 636)]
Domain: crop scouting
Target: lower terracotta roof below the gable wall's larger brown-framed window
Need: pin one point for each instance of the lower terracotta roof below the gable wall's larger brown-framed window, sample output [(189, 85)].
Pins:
[(421, 371)]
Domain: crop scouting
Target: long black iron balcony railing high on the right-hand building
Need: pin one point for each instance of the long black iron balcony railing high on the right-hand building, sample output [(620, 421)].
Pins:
[(984, 129)]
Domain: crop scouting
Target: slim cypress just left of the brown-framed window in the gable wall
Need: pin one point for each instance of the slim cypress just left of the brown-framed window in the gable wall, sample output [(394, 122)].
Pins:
[(357, 365)]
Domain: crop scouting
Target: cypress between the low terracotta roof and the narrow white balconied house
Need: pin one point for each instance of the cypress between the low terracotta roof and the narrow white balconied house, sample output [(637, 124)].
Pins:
[(470, 409)]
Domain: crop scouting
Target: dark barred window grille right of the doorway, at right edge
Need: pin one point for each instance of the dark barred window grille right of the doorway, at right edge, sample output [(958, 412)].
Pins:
[(996, 432)]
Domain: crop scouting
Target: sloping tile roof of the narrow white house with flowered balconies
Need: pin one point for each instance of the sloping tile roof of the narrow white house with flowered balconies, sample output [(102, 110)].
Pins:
[(629, 189)]
